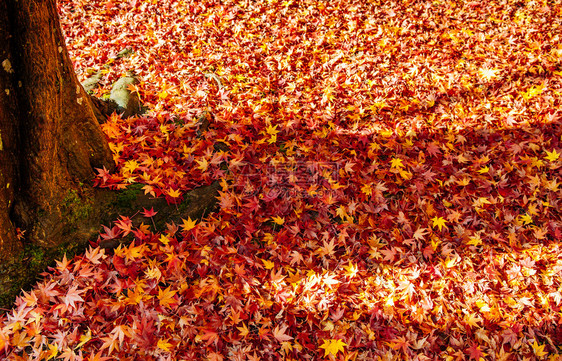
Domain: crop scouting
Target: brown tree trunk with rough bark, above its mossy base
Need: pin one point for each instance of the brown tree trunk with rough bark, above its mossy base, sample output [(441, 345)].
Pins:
[(50, 140)]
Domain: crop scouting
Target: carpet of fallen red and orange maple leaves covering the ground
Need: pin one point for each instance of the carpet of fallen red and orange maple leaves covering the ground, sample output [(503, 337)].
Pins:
[(389, 185)]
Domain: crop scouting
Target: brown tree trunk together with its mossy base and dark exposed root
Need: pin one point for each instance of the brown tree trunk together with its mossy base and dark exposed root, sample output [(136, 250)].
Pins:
[(50, 145)]
